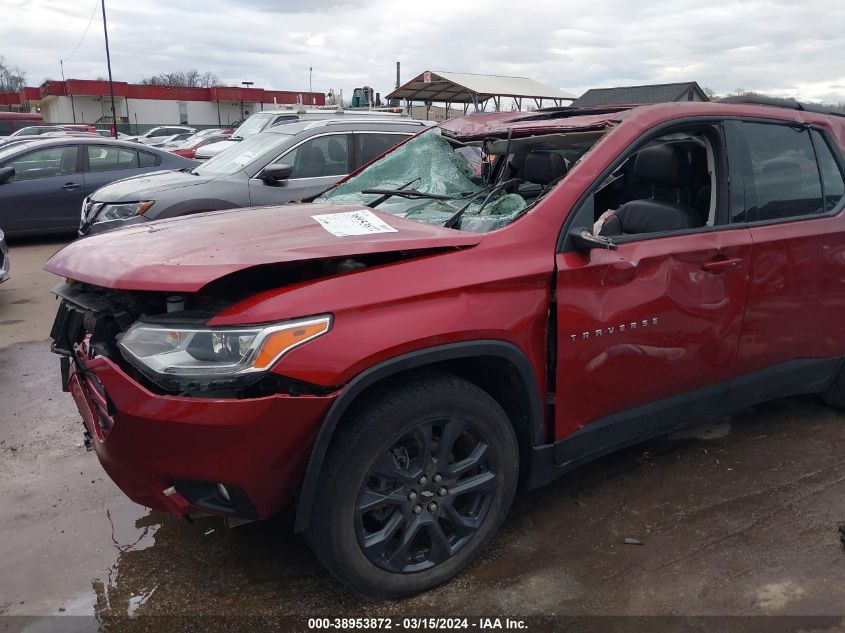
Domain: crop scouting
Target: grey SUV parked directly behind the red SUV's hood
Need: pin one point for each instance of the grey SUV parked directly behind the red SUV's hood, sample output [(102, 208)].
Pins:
[(285, 163)]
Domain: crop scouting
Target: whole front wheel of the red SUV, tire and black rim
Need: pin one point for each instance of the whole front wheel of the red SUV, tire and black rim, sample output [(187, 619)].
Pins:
[(414, 487)]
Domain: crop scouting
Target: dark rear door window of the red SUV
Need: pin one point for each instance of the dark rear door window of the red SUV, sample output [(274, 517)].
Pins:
[(784, 180)]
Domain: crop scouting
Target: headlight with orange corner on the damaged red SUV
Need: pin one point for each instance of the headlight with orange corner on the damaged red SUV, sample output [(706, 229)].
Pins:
[(210, 353)]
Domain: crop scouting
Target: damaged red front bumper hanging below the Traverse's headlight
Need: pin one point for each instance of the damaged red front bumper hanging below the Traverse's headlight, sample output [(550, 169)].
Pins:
[(157, 448)]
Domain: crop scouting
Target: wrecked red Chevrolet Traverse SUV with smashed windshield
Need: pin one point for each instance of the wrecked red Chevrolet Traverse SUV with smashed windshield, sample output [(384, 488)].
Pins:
[(495, 301)]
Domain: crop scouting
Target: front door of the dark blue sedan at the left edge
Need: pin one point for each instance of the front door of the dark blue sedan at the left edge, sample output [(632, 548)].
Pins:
[(46, 192)]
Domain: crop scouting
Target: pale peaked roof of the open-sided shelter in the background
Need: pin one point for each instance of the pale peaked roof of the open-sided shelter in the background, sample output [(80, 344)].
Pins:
[(438, 85)]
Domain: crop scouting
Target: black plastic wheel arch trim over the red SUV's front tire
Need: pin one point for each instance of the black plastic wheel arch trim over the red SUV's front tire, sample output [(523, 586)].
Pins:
[(505, 362)]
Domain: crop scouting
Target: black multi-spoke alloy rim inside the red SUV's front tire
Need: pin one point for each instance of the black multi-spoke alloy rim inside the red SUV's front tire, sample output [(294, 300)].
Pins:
[(425, 496)]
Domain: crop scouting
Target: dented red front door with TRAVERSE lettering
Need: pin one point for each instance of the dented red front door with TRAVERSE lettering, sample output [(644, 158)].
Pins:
[(647, 334)]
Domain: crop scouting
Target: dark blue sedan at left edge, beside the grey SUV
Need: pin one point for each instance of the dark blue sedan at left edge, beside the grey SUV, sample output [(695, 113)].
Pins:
[(43, 181)]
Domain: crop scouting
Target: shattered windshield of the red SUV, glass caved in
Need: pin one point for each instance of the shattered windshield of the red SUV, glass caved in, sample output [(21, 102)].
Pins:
[(479, 186)]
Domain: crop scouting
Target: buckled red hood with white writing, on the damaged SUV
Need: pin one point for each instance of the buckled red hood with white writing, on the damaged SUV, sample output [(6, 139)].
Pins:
[(184, 254)]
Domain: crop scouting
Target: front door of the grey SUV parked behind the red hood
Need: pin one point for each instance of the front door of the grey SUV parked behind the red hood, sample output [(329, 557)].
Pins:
[(317, 163)]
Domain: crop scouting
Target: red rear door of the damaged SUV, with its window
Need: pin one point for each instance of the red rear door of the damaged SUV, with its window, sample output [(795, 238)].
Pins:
[(792, 200)]
